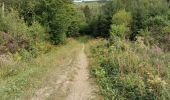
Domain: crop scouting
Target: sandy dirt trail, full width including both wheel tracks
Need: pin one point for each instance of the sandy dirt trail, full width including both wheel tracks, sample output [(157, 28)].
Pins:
[(70, 82)]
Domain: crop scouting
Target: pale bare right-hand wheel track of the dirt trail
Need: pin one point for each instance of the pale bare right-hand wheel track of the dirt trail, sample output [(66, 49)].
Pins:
[(81, 89)]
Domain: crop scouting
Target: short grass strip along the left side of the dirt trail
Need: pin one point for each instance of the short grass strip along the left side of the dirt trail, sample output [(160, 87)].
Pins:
[(22, 78)]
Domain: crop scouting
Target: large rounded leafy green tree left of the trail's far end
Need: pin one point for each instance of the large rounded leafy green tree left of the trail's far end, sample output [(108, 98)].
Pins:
[(62, 20)]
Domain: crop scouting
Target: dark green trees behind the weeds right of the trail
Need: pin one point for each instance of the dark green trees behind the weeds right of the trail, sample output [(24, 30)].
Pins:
[(147, 17)]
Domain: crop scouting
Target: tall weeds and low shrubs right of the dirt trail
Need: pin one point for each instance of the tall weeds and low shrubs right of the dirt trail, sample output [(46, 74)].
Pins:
[(130, 71)]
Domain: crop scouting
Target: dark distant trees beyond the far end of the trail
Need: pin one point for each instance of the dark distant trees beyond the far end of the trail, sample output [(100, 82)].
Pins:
[(93, 18)]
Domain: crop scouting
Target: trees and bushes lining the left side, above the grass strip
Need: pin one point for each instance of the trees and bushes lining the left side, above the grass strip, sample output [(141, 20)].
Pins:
[(28, 24)]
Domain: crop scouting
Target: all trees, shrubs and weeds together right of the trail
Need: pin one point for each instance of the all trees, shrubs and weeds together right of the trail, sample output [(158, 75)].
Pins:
[(133, 62)]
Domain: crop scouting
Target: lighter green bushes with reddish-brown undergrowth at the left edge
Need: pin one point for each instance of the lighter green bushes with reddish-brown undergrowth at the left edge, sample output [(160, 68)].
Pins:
[(16, 36)]
